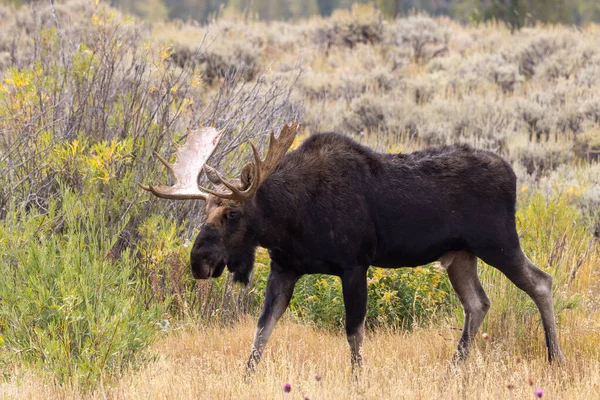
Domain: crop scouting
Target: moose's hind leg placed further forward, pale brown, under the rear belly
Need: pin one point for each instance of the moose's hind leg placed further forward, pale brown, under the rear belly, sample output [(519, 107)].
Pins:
[(462, 271)]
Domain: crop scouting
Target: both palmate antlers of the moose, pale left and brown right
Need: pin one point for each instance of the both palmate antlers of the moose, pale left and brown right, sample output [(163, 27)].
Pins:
[(192, 157)]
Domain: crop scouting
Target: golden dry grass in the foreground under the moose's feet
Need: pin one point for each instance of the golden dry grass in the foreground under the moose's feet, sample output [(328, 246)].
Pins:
[(208, 363)]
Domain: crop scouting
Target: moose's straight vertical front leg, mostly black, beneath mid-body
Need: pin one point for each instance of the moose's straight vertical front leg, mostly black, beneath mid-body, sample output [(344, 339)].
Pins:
[(354, 286)]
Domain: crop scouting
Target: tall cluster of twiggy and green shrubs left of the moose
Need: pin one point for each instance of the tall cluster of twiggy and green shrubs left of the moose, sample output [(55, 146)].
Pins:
[(95, 267)]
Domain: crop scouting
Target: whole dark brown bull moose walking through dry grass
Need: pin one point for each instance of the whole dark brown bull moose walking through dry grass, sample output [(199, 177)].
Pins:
[(334, 206)]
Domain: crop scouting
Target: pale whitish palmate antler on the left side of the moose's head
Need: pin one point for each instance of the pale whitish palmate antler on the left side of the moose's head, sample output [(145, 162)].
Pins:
[(191, 157)]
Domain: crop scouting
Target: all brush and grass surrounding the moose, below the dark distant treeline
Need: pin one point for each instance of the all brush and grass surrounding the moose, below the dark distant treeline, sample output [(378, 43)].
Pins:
[(96, 298)]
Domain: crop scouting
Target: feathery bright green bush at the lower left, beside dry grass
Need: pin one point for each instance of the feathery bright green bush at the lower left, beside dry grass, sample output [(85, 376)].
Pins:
[(68, 305)]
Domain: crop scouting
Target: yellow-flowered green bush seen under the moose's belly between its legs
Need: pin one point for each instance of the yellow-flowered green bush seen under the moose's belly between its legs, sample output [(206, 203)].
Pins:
[(396, 297)]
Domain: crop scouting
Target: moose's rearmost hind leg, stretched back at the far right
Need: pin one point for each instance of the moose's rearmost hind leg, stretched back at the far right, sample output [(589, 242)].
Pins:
[(538, 285)]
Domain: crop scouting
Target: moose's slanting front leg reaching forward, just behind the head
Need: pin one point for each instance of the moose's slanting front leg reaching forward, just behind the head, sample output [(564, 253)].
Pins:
[(280, 287)]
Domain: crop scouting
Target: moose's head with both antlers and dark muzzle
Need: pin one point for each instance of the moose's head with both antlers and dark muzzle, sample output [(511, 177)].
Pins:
[(228, 237)]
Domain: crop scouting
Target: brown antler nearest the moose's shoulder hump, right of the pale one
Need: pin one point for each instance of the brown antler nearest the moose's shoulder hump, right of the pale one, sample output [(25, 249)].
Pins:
[(259, 170)]
